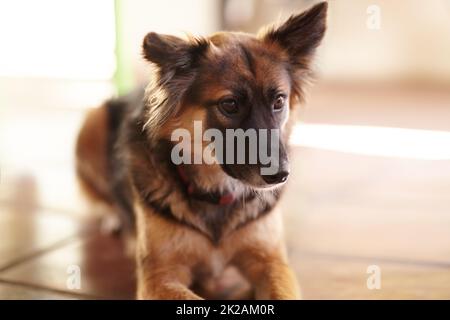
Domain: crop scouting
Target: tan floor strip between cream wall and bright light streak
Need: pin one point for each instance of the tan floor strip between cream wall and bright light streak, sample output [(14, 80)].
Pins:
[(409, 106)]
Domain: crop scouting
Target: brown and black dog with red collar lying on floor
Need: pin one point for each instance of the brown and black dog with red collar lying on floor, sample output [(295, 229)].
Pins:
[(191, 221)]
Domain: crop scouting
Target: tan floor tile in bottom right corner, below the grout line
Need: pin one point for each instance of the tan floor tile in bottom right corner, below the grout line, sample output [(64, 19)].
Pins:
[(322, 277)]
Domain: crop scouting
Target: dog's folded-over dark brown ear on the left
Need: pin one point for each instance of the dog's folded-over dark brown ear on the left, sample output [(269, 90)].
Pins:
[(170, 52)]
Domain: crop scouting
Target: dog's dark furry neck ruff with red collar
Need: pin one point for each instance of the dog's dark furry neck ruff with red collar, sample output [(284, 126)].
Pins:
[(168, 197)]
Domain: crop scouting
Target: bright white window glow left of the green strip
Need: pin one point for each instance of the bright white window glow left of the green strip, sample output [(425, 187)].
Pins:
[(71, 39)]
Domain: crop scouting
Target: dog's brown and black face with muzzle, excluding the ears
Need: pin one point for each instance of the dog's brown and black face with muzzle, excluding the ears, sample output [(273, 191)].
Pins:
[(243, 83)]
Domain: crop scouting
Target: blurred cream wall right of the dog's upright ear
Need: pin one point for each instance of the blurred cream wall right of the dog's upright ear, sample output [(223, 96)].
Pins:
[(412, 44)]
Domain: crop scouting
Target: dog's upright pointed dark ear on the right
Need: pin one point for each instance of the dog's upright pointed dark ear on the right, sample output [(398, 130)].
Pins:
[(300, 34)]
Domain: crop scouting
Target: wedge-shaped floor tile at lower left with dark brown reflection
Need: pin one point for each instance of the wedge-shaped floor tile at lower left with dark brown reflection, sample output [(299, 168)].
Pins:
[(99, 260)]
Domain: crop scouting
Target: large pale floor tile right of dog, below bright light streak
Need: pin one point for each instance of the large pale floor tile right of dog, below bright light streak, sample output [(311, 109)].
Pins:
[(368, 206)]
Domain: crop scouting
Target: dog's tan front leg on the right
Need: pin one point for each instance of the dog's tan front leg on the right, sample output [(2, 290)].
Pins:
[(270, 275)]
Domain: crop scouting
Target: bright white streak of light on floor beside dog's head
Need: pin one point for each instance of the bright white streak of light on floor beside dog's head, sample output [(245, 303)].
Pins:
[(375, 141)]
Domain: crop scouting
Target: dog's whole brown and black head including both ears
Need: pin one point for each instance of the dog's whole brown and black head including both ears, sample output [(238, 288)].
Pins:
[(237, 81)]
